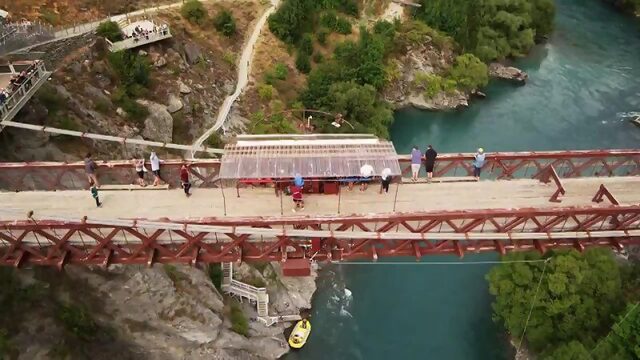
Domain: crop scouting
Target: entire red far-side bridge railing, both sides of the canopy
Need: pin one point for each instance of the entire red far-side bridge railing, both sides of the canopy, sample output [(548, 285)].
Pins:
[(503, 166)]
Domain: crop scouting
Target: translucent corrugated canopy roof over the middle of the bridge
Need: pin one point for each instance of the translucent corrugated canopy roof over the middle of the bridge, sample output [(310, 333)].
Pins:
[(312, 156)]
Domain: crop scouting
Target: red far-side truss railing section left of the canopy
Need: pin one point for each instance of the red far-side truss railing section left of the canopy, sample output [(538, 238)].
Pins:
[(71, 176)]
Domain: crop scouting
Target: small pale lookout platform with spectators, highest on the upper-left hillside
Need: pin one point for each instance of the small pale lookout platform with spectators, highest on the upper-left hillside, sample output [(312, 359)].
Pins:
[(139, 33)]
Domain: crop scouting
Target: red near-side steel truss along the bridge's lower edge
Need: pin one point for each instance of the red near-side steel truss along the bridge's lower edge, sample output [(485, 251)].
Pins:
[(55, 242)]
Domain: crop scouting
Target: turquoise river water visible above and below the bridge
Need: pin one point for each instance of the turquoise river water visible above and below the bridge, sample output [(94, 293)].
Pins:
[(583, 84)]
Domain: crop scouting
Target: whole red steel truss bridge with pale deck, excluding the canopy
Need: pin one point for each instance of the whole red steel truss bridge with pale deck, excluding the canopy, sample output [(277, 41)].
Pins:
[(525, 201)]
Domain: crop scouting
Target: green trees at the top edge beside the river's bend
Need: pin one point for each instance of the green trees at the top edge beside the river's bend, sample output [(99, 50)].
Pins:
[(492, 29)]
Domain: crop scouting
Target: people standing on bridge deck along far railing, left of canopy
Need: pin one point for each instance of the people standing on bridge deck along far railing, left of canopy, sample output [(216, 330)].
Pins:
[(91, 168)]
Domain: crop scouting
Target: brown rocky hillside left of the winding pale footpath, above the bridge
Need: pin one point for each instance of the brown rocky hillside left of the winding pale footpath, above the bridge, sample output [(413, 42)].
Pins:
[(174, 100)]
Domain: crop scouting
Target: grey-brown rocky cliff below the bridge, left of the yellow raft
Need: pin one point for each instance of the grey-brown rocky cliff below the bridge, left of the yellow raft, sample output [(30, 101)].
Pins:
[(168, 312)]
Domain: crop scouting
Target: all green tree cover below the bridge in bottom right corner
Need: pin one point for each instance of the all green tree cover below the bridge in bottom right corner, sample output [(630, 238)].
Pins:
[(586, 306)]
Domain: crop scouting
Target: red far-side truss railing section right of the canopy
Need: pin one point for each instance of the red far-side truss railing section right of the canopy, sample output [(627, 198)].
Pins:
[(522, 165)]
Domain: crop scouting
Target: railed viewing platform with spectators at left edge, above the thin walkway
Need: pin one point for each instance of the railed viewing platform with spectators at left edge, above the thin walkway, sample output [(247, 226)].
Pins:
[(19, 80)]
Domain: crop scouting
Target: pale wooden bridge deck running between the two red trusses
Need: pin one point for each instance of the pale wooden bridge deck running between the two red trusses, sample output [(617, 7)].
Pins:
[(262, 201)]
